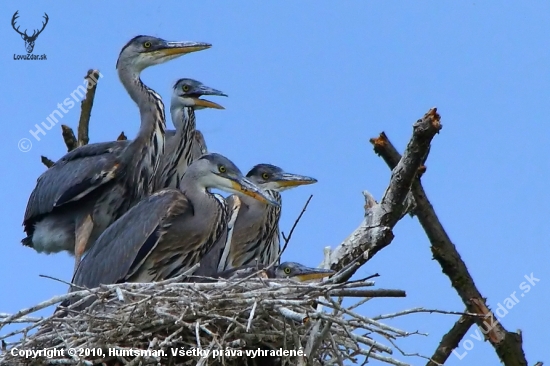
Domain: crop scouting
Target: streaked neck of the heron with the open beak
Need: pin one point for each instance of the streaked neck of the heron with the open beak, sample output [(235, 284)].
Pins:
[(178, 156)]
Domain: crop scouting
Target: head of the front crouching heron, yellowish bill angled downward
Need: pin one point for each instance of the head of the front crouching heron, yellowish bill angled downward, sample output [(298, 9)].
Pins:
[(217, 171)]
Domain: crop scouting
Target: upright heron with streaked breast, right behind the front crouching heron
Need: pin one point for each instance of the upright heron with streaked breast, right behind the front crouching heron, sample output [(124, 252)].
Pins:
[(255, 236)]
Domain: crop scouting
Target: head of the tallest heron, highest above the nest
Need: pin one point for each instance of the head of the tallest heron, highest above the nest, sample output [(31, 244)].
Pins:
[(144, 51)]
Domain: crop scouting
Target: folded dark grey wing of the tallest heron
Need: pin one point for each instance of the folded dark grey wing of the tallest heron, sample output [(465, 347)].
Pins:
[(72, 177)]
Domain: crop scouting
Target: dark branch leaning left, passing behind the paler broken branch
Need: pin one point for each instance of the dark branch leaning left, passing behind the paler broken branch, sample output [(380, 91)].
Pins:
[(508, 345)]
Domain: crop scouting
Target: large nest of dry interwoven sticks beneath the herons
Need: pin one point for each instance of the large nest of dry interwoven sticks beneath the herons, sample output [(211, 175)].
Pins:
[(218, 323)]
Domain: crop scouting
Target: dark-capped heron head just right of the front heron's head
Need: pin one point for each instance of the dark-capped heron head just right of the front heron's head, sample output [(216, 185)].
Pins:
[(271, 177)]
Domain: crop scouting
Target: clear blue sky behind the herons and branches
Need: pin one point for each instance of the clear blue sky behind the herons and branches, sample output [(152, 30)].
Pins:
[(309, 83)]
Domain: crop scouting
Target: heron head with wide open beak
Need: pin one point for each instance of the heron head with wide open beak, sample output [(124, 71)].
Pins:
[(187, 93)]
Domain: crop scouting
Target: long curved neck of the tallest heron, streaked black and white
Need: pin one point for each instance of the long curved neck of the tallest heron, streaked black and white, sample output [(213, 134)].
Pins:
[(143, 153)]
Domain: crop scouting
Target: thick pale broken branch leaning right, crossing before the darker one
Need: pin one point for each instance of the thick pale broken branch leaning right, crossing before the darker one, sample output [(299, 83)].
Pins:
[(375, 232)]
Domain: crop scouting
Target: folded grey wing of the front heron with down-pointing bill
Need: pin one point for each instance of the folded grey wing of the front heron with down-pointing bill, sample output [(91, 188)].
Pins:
[(128, 242)]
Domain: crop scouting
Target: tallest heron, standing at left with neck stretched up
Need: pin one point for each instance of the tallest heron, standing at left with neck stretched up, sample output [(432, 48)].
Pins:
[(77, 199)]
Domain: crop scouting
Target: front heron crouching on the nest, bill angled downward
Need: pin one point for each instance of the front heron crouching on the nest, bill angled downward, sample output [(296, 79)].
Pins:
[(168, 232)]
